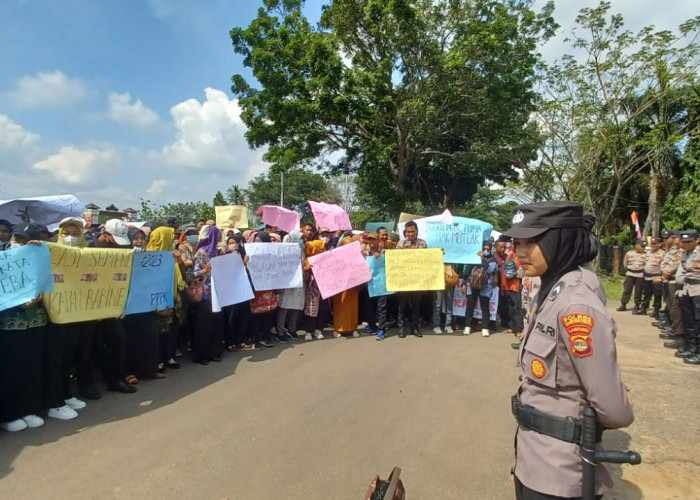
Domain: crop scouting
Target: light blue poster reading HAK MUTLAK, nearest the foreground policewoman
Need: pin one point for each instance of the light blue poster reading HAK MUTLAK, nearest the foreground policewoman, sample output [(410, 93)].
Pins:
[(461, 240)]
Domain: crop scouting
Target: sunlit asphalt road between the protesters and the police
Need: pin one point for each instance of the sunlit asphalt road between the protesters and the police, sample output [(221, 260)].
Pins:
[(317, 420)]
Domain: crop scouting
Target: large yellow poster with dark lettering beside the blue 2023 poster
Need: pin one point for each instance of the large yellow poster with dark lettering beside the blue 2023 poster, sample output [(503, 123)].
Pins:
[(89, 283)]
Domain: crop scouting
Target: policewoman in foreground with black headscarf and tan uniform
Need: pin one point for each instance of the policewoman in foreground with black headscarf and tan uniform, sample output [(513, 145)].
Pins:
[(567, 354)]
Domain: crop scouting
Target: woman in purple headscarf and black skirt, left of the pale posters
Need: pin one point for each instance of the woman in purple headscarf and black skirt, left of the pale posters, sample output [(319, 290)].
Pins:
[(208, 331)]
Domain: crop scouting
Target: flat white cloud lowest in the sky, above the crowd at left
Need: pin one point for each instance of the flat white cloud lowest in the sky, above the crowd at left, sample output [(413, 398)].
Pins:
[(77, 167)]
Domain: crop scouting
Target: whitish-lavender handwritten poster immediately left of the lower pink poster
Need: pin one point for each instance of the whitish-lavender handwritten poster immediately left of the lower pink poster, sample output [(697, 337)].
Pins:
[(274, 266)]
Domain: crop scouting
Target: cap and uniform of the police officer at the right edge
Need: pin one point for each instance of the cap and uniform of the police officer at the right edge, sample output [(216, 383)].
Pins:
[(688, 275)]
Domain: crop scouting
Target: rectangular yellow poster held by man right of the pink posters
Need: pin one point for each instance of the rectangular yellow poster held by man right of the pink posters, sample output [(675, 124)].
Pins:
[(413, 270)]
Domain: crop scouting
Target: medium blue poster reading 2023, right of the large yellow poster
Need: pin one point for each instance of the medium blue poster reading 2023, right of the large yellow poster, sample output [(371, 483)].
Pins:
[(152, 282)]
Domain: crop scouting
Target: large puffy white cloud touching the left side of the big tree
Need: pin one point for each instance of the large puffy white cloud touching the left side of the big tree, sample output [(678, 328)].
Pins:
[(210, 137)]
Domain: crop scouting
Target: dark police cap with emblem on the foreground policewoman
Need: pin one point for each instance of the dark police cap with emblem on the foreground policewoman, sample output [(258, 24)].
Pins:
[(533, 219)]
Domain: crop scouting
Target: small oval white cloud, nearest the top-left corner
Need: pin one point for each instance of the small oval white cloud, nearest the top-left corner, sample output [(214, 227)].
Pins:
[(47, 89)]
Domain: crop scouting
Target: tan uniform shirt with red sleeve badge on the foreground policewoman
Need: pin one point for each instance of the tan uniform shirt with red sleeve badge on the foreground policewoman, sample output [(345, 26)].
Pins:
[(569, 361)]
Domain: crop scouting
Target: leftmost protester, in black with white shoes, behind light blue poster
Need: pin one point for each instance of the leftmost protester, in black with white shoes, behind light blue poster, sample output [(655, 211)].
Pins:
[(22, 330)]
